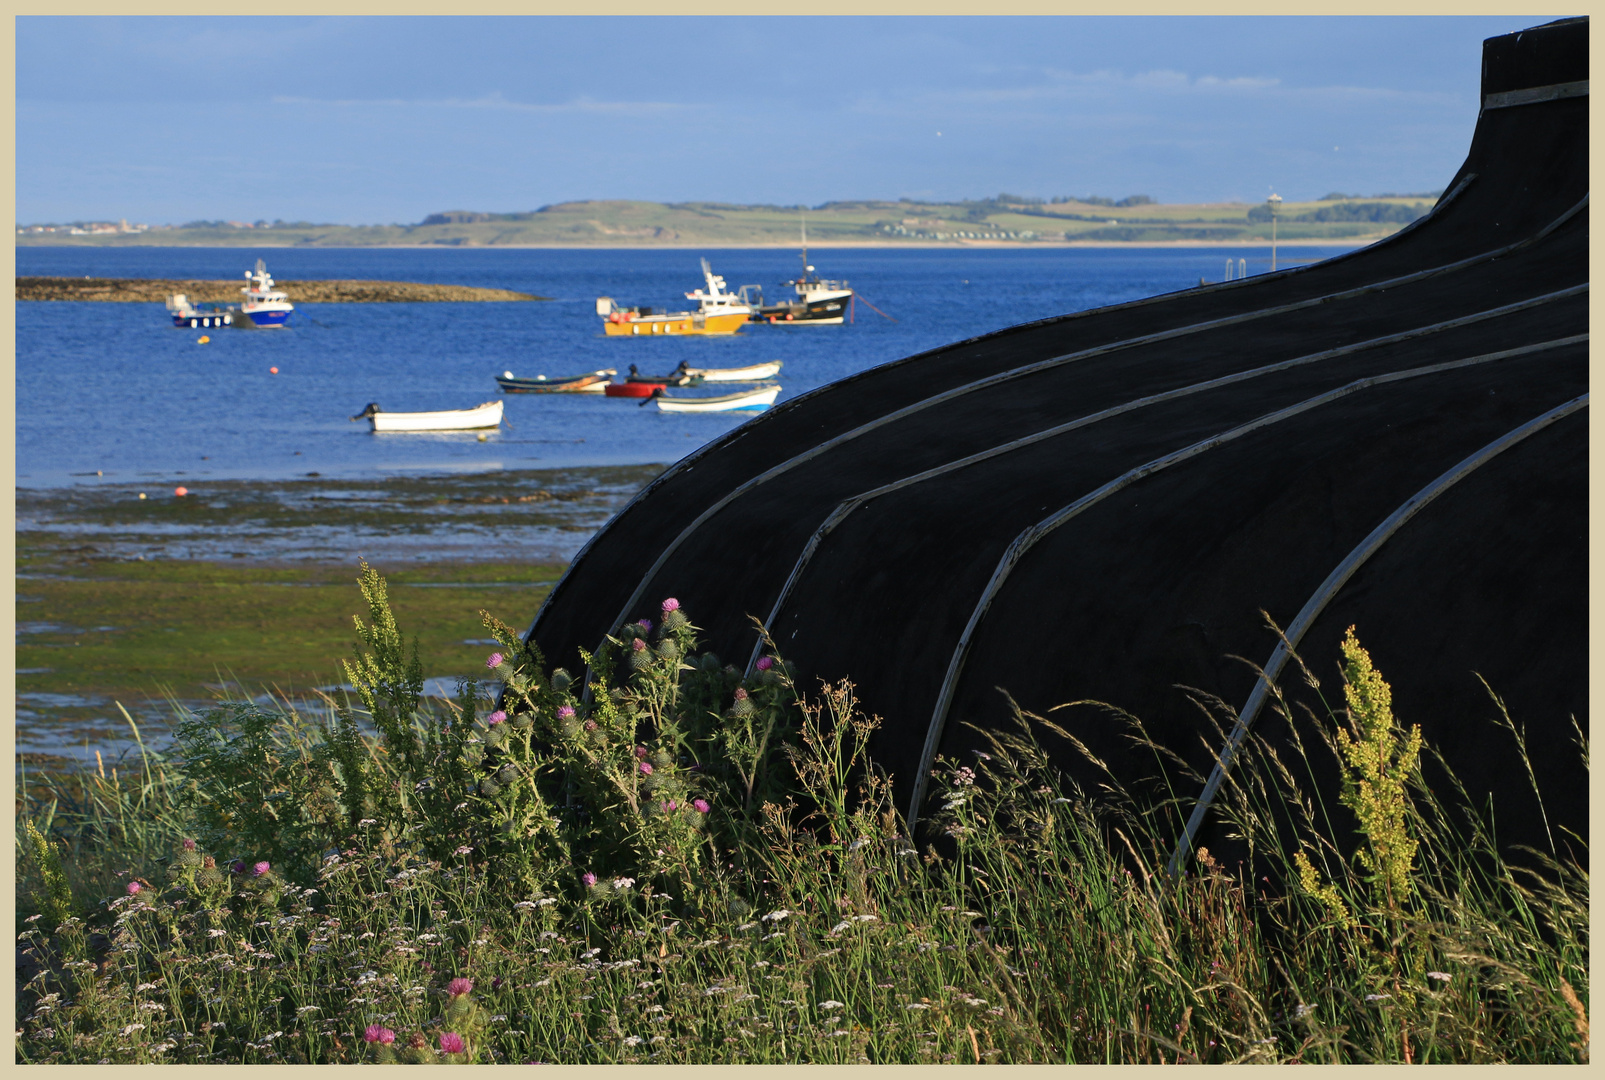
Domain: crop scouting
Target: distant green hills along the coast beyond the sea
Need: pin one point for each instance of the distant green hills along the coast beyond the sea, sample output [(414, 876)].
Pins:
[(632, 224)]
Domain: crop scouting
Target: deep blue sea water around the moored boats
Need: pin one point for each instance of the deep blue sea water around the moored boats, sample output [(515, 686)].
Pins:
[(115, 394)]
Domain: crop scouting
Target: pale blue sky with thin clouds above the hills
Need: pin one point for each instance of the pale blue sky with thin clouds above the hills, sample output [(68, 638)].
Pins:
[(367, 121)]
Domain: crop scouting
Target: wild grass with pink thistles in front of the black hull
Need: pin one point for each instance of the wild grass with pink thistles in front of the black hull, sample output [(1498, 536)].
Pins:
[(670, 863)]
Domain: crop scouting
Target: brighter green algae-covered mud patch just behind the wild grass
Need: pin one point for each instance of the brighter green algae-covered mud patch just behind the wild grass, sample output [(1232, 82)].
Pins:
[(134, 633)]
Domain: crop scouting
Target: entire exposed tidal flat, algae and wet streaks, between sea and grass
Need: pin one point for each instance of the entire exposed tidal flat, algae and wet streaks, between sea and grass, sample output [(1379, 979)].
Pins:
[(248, 587)]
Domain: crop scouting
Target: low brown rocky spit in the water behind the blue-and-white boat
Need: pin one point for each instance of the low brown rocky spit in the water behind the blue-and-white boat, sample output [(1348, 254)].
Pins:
[(156, 291)]
